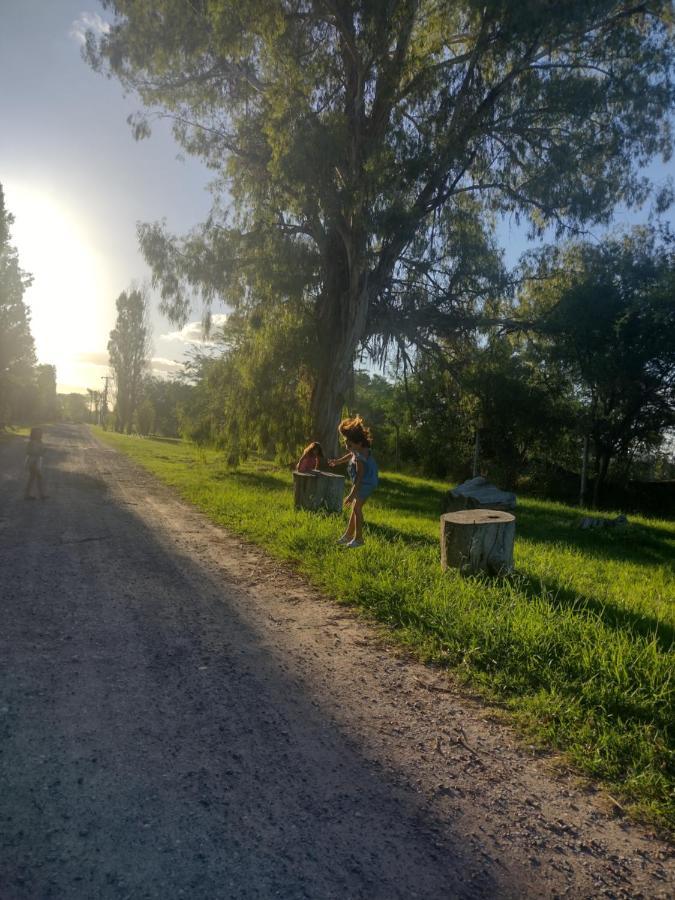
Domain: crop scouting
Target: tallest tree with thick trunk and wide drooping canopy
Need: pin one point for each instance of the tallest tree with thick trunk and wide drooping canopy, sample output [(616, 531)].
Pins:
[(361, 151)]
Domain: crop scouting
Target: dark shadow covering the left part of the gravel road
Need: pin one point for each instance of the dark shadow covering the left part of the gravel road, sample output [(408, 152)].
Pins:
[(200, 724)]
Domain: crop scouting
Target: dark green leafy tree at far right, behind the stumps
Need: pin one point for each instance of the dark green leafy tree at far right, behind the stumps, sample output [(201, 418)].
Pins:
[(607, 315)]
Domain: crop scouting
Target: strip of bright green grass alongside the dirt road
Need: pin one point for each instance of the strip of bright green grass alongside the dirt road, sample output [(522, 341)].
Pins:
[(577, 644)]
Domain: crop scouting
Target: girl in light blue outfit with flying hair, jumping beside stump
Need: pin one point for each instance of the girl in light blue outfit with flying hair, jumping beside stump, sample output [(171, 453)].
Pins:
[(362, 470)]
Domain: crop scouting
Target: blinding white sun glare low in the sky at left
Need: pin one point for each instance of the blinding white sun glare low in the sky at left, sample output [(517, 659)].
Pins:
[(69, 305)]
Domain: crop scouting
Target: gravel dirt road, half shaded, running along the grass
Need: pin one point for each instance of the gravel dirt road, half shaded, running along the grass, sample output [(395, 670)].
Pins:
[(182, 717)]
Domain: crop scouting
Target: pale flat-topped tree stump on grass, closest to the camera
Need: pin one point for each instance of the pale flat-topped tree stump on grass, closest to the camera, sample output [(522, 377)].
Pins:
[(478, 541)]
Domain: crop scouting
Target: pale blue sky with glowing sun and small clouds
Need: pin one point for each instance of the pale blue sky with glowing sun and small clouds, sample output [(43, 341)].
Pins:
[(77, 183)]
